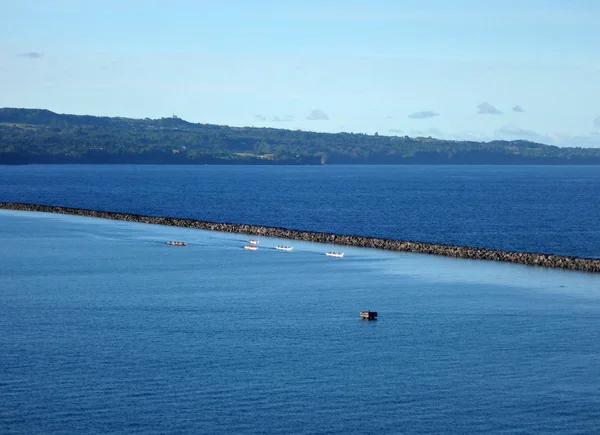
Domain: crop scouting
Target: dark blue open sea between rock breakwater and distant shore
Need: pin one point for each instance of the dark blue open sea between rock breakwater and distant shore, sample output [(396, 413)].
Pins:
[(551, 209)]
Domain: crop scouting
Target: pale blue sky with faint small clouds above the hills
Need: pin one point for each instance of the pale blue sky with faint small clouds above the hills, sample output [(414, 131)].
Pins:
[(460, 70)]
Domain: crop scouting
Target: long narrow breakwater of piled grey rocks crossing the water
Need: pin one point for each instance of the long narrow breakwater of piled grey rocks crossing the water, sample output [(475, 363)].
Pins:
[(532, 259)]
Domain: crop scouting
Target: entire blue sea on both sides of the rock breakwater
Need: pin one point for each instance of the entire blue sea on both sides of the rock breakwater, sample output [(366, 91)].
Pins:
[(107, 329)]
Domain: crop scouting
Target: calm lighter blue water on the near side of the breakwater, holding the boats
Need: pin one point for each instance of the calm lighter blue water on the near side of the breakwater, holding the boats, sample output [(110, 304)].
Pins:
[(106, 329)]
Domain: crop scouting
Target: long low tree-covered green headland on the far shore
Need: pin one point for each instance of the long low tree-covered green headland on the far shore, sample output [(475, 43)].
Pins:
[(38, 136)]
